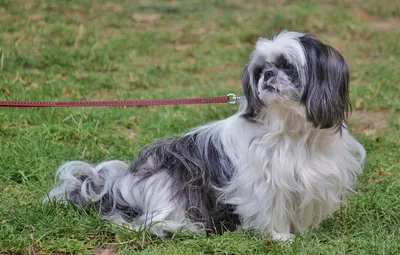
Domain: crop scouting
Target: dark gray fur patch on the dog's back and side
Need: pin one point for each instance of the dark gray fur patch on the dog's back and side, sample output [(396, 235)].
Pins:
[(197, 168)]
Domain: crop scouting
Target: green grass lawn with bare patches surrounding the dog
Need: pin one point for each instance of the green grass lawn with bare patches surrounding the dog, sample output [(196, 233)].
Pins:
[(73, 50)]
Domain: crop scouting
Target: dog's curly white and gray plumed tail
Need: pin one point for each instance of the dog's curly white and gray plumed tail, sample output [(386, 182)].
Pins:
[(83, 184)]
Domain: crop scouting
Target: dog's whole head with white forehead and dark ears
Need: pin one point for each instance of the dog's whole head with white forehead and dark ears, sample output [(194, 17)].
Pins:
[(297, 70)]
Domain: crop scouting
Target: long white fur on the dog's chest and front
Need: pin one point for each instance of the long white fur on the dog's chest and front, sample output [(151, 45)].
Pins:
[(289, 176)]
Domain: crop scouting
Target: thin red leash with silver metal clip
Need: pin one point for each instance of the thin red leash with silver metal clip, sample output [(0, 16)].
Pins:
[(230, 98)]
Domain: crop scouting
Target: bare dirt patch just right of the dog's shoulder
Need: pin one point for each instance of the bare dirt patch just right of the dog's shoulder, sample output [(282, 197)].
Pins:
[(368, 122)]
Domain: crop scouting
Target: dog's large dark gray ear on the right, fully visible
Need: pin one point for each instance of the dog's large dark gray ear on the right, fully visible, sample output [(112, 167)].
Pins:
[(326, 93)]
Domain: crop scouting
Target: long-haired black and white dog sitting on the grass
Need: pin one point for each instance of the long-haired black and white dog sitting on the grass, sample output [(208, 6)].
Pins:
[(278, 166)]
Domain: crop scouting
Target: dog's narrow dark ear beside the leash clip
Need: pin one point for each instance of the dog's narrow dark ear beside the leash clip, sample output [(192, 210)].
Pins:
[(253, 103)]
